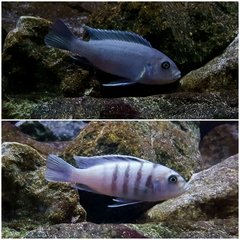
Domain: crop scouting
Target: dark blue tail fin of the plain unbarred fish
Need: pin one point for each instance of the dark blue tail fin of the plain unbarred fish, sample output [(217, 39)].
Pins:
[(60, 36)]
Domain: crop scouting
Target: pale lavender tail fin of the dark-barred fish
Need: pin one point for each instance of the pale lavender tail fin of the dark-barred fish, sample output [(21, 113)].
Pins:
[(58, 170)]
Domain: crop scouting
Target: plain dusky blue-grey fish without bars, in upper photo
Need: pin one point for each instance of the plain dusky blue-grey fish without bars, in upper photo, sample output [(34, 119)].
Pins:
[(124, 54)]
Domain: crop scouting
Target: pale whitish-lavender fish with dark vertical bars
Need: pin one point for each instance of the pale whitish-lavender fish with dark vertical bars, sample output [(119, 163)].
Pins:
[(129, 180)]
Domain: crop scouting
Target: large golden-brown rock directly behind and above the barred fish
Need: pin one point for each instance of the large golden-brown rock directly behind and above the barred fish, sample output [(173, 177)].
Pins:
[(168, 143)]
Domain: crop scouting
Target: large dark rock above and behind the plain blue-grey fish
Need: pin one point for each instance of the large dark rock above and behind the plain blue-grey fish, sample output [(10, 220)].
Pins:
[(190, 33)]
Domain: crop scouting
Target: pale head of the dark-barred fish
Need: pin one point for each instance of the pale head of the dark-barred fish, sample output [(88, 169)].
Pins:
[(169, 184)]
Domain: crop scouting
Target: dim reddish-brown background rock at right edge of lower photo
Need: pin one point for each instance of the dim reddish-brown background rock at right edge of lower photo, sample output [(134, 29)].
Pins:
[(220, 143)]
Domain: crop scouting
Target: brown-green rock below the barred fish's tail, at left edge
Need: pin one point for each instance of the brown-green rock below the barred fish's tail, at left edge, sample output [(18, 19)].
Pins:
[(26, 194)]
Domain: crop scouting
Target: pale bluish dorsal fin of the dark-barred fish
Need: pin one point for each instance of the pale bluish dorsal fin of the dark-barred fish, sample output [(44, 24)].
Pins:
[(86, 162)]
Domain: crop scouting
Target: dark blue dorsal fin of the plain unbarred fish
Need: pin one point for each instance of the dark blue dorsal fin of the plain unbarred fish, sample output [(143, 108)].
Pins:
[(101, 34)]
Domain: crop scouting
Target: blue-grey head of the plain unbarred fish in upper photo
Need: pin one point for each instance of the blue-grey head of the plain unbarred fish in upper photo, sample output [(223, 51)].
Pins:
[(161, 70)]
